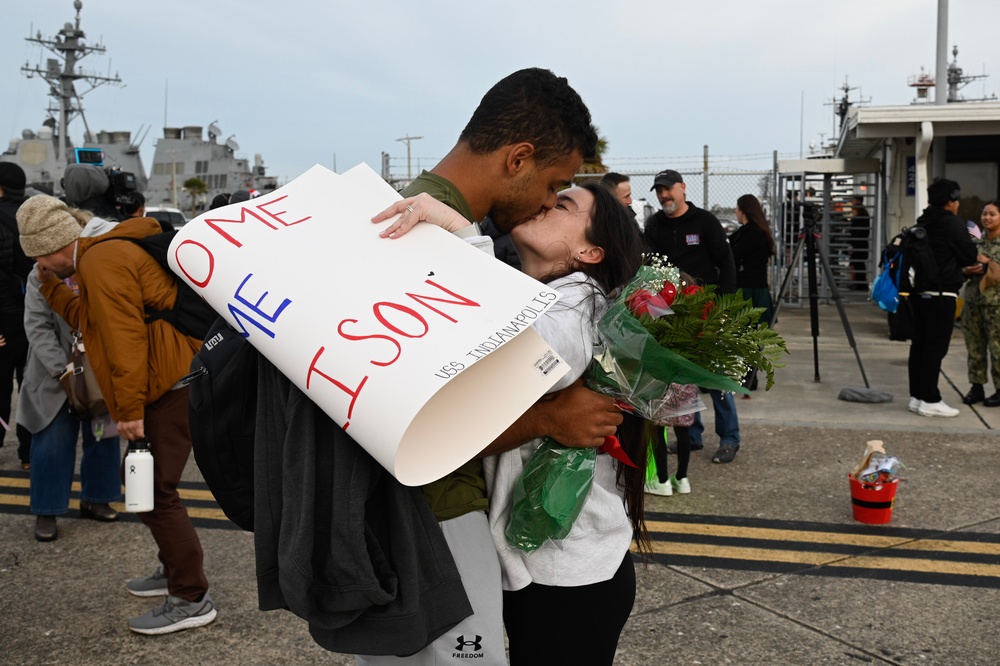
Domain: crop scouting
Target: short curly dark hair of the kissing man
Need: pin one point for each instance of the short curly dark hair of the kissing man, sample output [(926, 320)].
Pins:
[(536, 106)]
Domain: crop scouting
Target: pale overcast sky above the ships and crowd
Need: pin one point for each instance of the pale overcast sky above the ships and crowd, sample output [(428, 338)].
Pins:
[(337, 83)]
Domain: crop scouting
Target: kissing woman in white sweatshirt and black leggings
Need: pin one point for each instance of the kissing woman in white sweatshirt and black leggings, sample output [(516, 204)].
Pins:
[(585, 248)]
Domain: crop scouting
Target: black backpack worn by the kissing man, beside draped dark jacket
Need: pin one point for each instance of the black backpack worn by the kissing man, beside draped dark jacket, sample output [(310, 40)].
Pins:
[(222, 410)]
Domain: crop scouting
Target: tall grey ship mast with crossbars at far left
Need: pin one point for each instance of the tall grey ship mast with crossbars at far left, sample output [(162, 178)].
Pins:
[(69, 47)]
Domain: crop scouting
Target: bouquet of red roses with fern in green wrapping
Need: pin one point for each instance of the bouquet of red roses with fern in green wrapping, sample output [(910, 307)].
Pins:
[(658, 331)]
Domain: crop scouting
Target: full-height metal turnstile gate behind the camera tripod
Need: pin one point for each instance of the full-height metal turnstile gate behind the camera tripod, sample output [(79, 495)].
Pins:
[(839, 202)]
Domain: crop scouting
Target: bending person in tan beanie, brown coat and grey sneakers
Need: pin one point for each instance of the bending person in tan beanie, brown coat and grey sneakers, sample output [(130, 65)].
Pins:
[(138, 366)]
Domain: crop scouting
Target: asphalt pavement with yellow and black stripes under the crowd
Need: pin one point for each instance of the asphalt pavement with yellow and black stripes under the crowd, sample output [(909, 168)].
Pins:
[(762, 563)]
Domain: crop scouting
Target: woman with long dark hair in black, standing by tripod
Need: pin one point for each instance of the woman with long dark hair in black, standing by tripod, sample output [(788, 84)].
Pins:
[(753, 247)]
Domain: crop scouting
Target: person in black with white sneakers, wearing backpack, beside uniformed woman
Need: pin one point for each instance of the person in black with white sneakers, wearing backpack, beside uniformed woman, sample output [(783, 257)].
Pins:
[(935, 290)]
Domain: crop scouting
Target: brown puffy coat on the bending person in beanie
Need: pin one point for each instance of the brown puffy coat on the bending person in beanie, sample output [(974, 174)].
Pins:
[(135, 363)]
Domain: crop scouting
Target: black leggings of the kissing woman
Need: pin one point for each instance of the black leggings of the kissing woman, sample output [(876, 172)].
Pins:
[(569, 625)]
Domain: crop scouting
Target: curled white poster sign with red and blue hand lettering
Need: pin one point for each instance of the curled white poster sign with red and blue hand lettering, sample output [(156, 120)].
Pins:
[(419, 347)]
